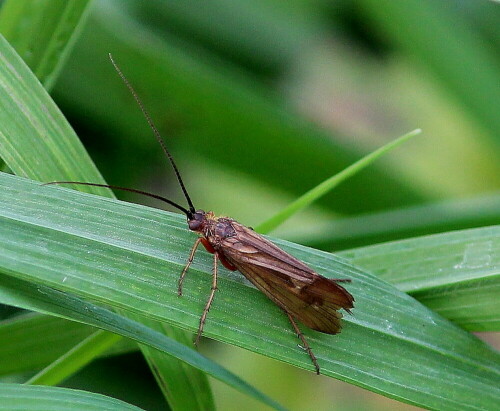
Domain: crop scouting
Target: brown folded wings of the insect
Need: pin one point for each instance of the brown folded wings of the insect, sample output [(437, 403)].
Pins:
[(312, 299)]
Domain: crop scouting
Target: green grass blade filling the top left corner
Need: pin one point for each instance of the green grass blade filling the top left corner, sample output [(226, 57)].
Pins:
[(43, 32)]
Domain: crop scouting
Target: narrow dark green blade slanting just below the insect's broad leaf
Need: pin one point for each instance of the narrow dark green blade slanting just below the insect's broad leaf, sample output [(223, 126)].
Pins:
[(49, 301)]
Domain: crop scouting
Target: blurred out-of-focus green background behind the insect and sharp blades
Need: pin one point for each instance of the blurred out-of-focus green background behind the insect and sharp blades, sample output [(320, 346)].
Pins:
[(260, 101)]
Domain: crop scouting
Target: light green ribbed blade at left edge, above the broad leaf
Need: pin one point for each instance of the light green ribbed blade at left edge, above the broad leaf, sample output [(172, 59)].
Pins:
[(35, 136)]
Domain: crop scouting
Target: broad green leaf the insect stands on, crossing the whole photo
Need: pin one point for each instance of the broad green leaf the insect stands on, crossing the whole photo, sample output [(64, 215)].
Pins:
[(129, 256)]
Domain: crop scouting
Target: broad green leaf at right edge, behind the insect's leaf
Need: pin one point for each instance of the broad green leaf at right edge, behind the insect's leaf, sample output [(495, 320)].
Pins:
[(456, 274)]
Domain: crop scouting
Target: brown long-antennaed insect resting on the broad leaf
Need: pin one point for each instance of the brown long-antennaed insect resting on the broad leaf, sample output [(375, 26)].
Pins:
[(298, 290)]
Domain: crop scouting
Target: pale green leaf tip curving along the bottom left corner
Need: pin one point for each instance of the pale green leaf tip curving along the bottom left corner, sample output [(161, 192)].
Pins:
[(33, 398)]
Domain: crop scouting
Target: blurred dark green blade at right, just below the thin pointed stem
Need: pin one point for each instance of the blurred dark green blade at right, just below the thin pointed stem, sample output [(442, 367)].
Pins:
[(391, 225)]
